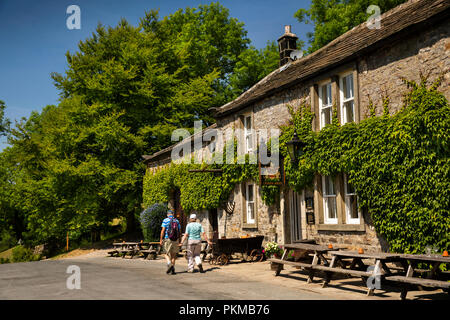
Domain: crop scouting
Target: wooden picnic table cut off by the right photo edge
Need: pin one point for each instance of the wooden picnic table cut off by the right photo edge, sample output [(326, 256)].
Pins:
[(434, 278)]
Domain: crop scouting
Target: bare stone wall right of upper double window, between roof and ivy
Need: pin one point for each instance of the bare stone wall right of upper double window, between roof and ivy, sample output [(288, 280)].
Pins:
[(380, 72)]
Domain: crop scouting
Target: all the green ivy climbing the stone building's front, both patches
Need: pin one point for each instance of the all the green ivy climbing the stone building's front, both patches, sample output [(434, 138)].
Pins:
[(399, 166)]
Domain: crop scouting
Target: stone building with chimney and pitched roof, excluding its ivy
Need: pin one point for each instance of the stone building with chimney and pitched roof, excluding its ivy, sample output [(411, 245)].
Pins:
[(364, 63)]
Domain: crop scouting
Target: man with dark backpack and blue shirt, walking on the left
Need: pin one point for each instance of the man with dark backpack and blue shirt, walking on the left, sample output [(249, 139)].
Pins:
[(170, 234)]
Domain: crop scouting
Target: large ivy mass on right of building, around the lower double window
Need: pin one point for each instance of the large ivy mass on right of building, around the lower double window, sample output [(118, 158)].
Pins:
[(398, 164)]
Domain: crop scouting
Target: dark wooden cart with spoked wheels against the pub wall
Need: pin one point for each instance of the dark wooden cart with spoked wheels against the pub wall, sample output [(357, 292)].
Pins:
[(221, 251)]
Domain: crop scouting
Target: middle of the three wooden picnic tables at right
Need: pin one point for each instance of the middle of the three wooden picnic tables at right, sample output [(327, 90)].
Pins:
[(351, 263)]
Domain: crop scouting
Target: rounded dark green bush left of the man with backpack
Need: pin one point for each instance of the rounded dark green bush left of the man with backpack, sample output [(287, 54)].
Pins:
[(151, 219)]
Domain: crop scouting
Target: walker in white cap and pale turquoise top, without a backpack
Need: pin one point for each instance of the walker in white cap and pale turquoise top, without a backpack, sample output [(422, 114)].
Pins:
[(194, 231)]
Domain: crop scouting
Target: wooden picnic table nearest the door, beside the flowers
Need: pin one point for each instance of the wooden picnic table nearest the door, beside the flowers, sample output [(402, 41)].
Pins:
[(318, 252)]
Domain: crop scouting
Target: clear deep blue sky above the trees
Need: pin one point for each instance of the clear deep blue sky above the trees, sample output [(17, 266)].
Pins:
[(34, 38)]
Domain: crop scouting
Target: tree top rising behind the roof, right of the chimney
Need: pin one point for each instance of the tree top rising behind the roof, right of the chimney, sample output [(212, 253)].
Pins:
[(332, 18)]
